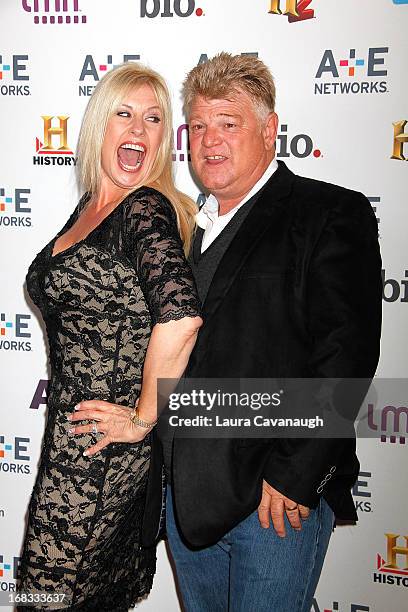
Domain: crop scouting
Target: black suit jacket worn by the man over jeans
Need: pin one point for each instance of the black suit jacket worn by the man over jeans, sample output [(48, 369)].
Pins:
[(297, 294)]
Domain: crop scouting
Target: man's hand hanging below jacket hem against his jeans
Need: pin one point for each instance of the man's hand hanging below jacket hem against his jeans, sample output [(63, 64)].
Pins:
[(275, 504)]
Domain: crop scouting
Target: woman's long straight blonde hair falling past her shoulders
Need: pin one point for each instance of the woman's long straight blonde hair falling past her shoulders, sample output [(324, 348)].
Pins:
[(106, 98)]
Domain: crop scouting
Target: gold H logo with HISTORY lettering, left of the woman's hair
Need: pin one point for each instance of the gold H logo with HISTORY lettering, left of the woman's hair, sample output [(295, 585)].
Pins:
[(54, 151)]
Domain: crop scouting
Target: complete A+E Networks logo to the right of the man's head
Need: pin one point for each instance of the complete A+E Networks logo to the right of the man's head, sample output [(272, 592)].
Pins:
[(352, 72)]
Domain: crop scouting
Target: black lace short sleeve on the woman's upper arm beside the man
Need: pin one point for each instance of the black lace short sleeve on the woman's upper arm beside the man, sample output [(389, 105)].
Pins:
[(154, 246)]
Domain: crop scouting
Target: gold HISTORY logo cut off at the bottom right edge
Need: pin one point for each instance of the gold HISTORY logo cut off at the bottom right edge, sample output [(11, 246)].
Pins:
[(394, 569)]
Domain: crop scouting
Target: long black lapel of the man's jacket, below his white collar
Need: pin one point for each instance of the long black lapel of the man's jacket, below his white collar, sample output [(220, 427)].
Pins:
[(263, 213)]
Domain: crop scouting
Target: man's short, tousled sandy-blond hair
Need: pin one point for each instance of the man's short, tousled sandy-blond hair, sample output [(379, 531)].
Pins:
[(225, 74)]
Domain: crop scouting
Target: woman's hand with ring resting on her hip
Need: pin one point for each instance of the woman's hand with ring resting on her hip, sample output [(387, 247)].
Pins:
[(110, 419)]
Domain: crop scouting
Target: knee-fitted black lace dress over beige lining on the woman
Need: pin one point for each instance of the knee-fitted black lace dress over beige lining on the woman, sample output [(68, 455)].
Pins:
[(99, 299)]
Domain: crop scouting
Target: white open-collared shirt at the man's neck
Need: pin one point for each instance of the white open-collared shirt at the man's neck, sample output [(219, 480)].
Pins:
[(212, 223)]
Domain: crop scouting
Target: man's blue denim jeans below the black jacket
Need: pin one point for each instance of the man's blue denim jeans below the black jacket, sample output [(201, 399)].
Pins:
[(251, 568)]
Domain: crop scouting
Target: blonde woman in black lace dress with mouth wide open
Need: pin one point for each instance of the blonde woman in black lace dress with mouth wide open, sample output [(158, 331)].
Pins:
[(121, 311)]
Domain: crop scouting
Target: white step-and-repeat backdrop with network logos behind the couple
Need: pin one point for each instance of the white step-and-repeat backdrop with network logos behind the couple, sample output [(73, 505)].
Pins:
[(341, 73)]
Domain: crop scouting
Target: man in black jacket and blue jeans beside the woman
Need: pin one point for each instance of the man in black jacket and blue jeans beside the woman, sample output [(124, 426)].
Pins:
[(289, 273)]
